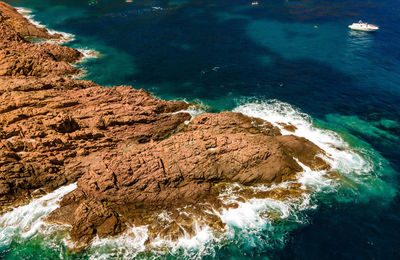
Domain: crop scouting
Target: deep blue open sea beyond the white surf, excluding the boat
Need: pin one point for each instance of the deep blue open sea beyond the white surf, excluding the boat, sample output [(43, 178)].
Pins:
[(220, 53)]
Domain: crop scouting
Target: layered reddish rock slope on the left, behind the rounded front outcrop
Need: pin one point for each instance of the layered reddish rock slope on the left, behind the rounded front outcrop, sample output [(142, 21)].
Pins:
[(50, 124)]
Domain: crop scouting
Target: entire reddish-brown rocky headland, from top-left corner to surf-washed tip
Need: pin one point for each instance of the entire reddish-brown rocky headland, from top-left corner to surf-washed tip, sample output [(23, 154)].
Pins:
[(130, 153)]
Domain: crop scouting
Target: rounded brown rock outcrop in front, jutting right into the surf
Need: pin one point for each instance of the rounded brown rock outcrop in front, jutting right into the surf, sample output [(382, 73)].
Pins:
[(183, 169)]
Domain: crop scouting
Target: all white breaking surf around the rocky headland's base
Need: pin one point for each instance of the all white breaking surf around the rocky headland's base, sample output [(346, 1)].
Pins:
[(255, 224)]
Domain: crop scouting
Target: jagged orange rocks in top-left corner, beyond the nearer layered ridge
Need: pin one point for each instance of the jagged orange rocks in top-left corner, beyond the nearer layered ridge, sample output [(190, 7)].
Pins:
[(20, 57)]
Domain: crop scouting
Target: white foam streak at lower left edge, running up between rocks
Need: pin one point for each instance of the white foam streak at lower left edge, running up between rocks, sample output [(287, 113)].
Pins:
[(28, 220)]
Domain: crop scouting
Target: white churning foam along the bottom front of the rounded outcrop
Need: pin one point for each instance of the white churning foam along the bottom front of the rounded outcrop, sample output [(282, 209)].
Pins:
[(249, 223)]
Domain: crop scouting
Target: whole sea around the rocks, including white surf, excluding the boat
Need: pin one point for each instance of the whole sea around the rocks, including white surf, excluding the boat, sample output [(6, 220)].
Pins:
[(292, 61)]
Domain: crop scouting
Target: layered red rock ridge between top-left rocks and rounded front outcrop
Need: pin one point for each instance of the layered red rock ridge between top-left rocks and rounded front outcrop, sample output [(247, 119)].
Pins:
[(49, 127)]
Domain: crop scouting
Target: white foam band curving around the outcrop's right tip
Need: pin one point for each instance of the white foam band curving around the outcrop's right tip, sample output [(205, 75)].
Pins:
[(359, 166)]
